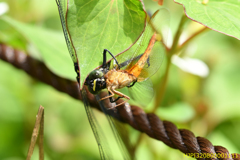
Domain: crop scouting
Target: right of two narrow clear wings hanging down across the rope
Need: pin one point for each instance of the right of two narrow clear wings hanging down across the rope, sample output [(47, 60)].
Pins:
[(114, 112)]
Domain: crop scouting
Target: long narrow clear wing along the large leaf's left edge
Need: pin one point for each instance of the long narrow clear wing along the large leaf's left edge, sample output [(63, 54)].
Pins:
[(62, 13)]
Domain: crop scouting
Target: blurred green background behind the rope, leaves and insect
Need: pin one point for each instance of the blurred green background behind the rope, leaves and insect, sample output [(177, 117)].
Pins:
[(207, 105)]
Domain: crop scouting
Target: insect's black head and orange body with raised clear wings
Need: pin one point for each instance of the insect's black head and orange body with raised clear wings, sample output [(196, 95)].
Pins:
[(136, 66)]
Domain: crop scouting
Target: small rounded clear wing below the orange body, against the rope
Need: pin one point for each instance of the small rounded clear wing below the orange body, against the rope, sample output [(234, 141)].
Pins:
[(142, 92)]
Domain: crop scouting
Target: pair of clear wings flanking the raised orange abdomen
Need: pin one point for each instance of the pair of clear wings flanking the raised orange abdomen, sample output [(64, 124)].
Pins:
[(159, 23)]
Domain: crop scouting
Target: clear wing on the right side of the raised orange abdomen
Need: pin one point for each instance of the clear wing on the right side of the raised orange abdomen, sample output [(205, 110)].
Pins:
[(159, 24)]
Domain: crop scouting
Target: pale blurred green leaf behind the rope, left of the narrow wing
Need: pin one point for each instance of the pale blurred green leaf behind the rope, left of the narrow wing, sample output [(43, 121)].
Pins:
[(51, 46)]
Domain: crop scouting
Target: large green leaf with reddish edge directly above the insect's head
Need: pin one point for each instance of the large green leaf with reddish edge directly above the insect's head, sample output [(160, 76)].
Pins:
[(97, 25)]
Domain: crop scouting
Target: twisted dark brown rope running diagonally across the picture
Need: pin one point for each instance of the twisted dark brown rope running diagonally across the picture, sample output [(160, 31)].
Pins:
[(149, 123)]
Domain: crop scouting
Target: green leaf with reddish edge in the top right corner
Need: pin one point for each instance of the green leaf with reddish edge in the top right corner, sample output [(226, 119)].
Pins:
[(220, 15)]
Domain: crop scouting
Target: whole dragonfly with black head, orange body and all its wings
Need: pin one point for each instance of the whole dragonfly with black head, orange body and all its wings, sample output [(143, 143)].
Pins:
[(99, 79)]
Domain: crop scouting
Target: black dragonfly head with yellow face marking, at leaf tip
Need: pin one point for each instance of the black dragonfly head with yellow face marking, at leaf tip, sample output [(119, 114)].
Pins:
[(95, 81)]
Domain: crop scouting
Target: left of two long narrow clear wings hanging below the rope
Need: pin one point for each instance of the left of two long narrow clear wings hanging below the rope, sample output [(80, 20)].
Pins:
[(105, 152)]
